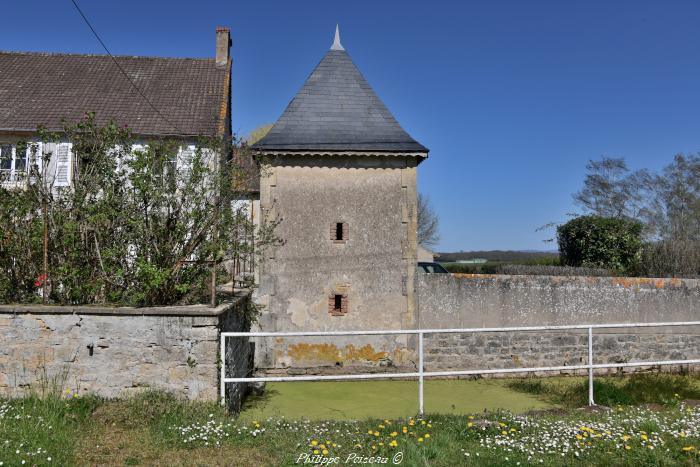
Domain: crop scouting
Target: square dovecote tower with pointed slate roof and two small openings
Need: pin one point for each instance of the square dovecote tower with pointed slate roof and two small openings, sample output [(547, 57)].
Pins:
[(342, 181)]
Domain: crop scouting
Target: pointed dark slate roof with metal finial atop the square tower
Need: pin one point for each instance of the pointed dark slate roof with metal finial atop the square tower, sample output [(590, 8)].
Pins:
[(337, 110)]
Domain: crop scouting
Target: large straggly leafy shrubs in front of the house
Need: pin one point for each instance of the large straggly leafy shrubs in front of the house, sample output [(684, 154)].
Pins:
[(139, 225)]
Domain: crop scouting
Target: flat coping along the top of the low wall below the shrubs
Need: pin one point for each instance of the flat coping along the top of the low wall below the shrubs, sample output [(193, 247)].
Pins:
[(179, 310)]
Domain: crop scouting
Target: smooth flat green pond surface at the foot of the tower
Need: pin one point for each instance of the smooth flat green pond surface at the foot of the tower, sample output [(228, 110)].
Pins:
[(357, 400)]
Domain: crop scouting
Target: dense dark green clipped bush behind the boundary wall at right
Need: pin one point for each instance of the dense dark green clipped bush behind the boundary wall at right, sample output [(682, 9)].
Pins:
[(600, 242)]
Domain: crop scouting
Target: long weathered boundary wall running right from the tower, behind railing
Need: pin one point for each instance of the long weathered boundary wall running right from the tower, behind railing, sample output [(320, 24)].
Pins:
[(467, 301)]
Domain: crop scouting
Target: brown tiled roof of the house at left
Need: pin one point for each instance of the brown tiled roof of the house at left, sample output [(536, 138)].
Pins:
[(40, 89)]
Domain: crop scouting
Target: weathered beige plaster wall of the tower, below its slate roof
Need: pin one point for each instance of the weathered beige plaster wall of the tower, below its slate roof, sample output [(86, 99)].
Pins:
[(376, 197)]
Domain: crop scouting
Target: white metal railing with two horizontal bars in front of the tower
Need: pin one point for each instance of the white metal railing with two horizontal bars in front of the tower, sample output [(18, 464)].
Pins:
[(421, 374)]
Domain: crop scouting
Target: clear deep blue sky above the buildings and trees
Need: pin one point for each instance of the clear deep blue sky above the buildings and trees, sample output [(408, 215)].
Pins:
[(511, 97)]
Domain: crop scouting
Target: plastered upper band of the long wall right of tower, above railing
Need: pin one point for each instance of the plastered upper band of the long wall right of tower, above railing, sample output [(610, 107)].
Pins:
[(474, 300)]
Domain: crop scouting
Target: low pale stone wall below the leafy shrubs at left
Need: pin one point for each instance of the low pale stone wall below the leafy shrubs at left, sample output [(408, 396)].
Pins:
[(114, 352)]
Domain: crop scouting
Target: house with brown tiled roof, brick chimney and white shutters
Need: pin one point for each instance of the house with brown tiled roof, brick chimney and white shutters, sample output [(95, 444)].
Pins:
[(155, 97)]
